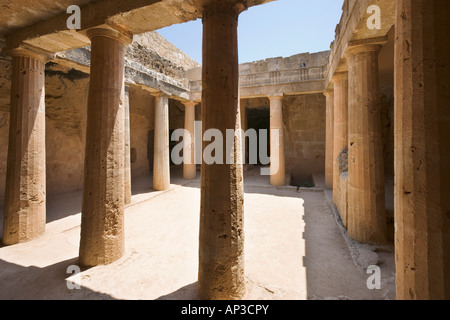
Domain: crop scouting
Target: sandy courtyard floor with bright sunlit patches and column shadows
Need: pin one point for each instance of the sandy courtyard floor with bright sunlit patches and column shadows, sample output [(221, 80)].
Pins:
[(294, 249)]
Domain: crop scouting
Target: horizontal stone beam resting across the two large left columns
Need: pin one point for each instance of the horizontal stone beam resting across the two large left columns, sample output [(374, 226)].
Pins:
[(133, 16)]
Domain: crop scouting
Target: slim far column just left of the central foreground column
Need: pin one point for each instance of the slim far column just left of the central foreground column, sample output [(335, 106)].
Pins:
[(189, 166)]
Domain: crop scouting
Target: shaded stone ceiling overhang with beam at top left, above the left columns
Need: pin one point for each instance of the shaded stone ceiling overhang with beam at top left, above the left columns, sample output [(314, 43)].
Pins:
[(45, 28)]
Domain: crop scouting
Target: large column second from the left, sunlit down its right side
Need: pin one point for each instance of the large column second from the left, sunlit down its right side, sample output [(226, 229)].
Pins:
[(102, 230)]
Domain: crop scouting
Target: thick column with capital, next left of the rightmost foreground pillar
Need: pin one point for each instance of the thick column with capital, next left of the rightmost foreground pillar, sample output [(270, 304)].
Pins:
[(366, 220)]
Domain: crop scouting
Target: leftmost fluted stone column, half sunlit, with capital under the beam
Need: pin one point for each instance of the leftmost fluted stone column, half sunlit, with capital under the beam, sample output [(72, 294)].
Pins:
[(24, 215)]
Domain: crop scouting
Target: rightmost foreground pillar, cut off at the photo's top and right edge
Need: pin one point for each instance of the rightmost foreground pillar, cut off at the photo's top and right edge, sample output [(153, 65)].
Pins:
[(422, 149)]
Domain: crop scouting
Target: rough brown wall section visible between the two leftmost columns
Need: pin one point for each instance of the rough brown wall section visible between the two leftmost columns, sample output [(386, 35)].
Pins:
[(65, 104)]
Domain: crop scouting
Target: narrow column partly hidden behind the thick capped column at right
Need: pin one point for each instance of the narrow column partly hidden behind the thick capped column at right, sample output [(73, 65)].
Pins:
[(340, 81)]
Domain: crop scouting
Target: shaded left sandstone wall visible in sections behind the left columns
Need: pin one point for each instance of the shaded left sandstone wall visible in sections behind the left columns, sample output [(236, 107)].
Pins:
[(66, 101)]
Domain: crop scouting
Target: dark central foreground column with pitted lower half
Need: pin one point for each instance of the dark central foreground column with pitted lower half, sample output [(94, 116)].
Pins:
[(221, 251)]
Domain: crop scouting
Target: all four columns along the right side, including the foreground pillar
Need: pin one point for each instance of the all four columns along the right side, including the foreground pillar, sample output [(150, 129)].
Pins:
[(422, 144)]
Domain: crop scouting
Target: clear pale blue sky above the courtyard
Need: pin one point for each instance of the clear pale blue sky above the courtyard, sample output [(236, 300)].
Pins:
[(277, 29)]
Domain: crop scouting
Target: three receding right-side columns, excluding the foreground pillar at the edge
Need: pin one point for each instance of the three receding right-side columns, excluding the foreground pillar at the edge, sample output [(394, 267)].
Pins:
[(355, 112)]
